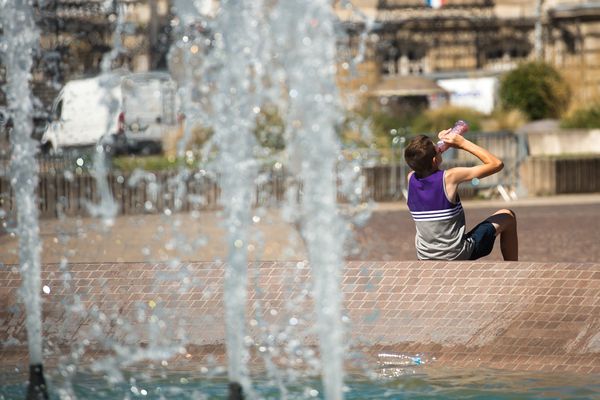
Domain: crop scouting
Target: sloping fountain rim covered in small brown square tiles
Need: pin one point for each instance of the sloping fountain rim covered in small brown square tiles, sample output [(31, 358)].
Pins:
[(517, 316)]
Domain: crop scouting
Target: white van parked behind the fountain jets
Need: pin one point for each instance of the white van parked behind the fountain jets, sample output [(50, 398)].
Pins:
[(134, 110)]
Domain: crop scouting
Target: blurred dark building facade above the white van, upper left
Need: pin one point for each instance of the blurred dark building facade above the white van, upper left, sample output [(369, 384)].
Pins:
[(76, 34)]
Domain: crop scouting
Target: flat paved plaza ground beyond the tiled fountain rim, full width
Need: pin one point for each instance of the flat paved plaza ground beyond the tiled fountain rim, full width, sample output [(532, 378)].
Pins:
[(554, 229)]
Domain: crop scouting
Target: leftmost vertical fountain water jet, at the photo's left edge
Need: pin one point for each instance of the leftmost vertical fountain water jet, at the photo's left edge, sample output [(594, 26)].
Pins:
[(19, 39)]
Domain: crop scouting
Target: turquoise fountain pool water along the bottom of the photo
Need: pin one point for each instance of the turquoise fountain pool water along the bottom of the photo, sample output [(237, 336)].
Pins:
[(420, 383)]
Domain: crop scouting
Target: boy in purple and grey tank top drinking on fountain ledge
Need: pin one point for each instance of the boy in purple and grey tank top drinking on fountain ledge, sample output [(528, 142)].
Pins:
[(435, 205)]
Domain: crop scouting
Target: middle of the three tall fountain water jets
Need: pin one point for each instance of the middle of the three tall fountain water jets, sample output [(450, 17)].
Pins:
[(235, 98)]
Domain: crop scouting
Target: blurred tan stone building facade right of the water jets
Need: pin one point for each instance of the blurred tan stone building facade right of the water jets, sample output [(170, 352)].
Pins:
[(473, 38)]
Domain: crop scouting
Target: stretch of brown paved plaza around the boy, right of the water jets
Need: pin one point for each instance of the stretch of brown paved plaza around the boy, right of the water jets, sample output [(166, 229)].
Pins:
[(548, 232)]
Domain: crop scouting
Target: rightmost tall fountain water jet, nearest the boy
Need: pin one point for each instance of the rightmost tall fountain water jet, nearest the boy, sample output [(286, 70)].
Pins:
[(307, 42)]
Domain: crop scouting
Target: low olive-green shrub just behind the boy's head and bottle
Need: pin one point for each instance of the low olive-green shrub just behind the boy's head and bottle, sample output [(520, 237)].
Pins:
[(434, 120)]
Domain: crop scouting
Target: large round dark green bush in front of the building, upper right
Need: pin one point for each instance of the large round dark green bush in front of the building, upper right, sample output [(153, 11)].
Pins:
[(537, 89)]
